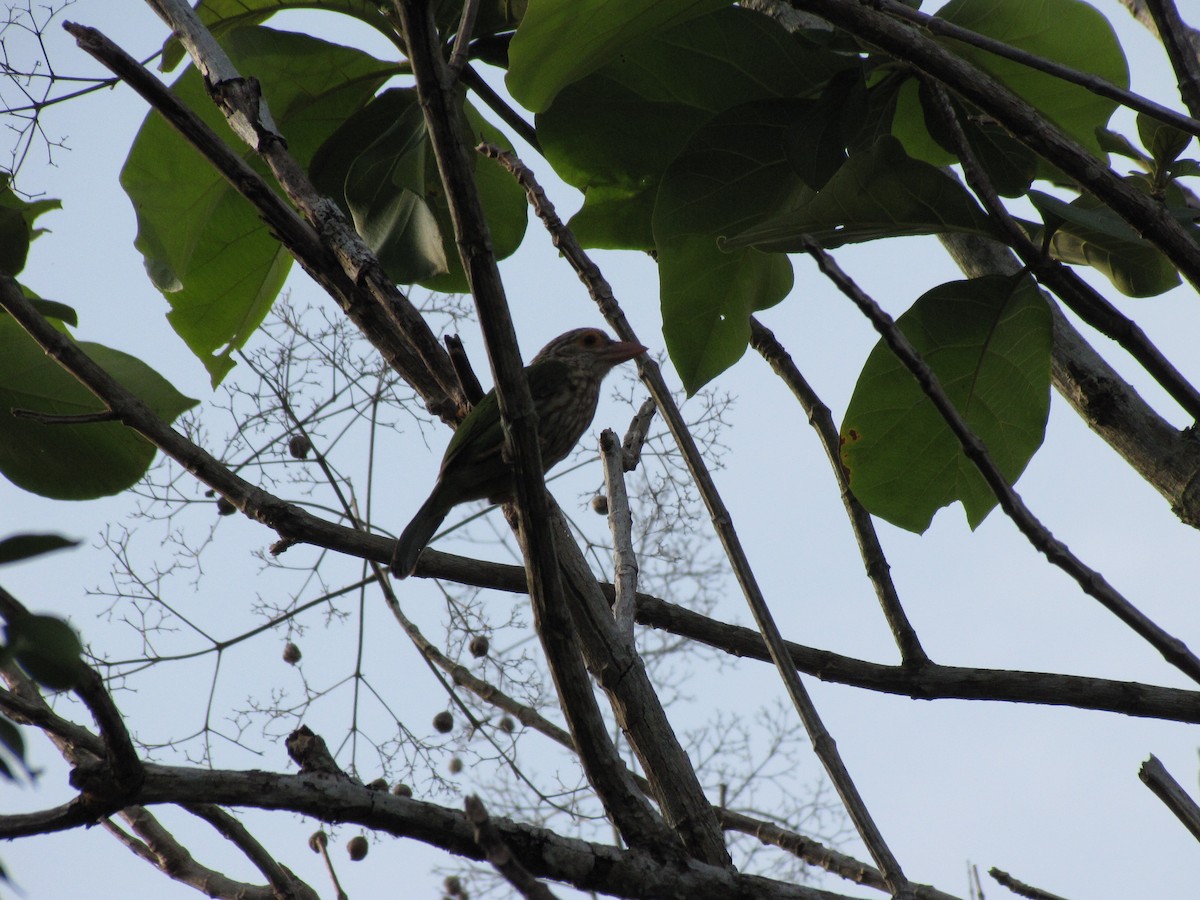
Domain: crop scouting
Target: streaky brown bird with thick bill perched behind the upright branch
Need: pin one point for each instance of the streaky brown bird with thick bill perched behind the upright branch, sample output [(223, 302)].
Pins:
[(565, 381)]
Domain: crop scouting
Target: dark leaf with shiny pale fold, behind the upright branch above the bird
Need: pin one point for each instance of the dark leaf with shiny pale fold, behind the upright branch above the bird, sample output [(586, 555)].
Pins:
[(381, 167)]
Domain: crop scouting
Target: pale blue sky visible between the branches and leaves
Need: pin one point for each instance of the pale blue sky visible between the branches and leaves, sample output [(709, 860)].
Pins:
[(1046, 794)]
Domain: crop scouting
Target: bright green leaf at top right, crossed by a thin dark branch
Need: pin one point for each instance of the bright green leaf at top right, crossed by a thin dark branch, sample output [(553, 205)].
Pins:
[(1067, 32)]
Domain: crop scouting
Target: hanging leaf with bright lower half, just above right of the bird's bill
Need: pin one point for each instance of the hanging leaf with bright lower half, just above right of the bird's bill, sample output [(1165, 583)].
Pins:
[(733, 171)]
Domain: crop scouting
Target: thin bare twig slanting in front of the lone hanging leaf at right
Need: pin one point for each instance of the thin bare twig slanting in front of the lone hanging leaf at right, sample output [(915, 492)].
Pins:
[(1174, 650)]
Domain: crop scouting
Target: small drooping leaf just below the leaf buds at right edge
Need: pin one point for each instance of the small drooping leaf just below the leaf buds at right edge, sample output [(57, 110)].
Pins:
[(1089, 233)]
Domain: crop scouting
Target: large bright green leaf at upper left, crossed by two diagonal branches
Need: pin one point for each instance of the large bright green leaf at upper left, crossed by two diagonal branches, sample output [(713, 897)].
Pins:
[(205, 247)]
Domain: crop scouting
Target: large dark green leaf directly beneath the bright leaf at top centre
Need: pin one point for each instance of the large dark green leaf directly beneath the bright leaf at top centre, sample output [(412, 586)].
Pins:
[(614, 133)]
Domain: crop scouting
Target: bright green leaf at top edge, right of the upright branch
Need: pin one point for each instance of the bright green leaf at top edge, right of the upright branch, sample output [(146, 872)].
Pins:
[(562, 41)]
